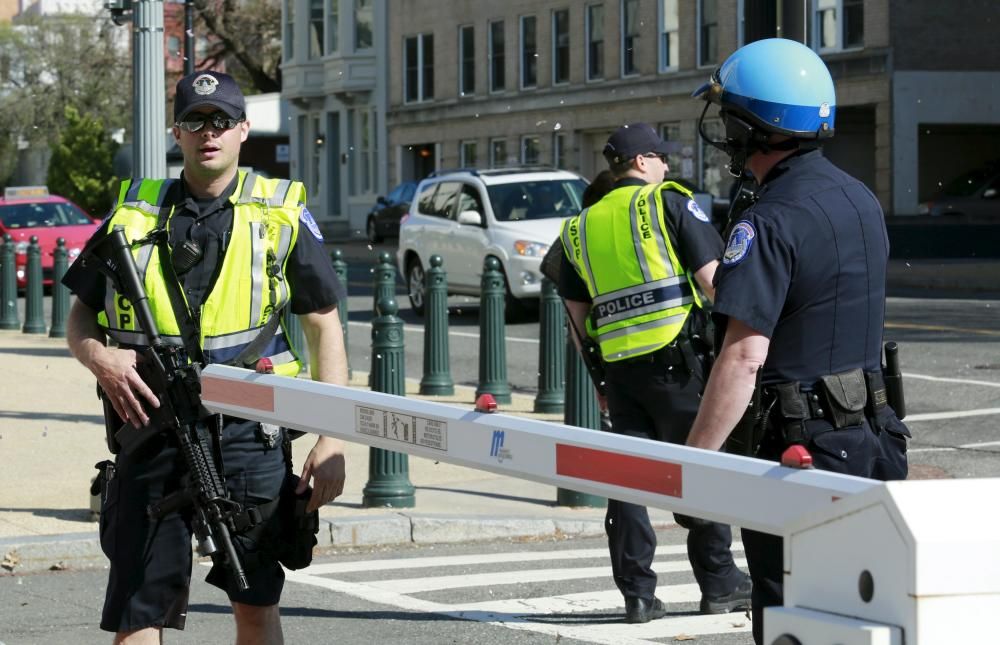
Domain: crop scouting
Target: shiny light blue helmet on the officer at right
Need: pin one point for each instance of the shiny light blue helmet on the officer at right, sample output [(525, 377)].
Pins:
[(779, 86)]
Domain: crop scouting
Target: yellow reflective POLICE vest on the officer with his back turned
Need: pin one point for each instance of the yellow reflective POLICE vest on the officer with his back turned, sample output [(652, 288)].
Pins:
[(641, 293)]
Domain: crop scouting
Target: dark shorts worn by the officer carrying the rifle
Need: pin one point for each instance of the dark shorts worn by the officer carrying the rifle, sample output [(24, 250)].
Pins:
[(150, 559)]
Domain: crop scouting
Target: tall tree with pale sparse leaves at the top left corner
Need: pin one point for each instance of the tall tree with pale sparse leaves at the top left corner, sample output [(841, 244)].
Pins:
[(51, 63)]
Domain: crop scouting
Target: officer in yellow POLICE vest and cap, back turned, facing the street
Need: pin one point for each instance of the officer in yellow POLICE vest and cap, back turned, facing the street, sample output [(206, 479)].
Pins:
[(628, 278)]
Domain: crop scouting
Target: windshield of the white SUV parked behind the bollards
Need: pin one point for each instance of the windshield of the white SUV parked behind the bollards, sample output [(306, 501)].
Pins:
[(536, 199)]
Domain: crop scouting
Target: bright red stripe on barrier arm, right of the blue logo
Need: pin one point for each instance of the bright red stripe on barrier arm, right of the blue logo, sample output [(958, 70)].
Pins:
[(627, 471)]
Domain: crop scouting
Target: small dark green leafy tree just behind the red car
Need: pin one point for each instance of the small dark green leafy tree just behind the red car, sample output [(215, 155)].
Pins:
[(81, 165)]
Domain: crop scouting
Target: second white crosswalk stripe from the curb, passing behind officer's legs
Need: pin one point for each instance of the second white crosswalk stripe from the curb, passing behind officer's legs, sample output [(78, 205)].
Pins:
[(496, 578)]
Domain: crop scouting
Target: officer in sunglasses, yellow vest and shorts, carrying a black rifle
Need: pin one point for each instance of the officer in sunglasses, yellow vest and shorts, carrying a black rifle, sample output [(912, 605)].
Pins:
[(242, 248)]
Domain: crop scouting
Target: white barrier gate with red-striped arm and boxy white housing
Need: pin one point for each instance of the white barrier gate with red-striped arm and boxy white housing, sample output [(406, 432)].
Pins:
[(866, 562)]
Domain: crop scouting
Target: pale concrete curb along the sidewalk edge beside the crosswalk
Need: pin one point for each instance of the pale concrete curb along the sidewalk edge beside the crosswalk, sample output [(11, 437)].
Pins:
[(19, 555)]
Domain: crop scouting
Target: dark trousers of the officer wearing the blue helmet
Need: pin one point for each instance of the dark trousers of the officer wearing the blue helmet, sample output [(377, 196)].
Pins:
[(857, 450)]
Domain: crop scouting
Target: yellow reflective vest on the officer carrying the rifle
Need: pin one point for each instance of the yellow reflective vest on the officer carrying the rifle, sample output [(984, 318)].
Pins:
[(251, 283)]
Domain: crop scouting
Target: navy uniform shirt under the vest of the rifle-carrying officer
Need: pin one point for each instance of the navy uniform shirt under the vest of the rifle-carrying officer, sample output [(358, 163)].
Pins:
[(208, 222)]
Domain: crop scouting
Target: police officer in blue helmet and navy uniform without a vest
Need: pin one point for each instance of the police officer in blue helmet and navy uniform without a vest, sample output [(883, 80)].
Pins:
[(800, 291)]
